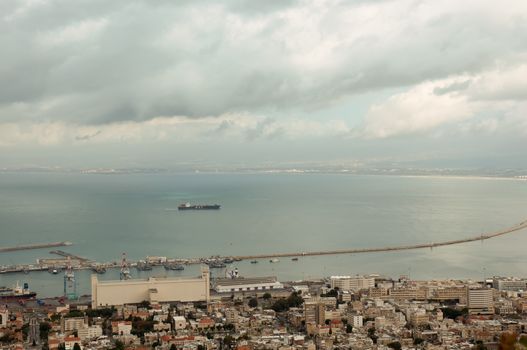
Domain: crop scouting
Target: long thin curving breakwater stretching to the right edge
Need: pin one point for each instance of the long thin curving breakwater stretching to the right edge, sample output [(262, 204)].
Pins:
[(481, 237)]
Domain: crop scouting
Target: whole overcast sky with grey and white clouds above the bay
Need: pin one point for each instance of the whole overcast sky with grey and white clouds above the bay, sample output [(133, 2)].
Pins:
[(161, 83)]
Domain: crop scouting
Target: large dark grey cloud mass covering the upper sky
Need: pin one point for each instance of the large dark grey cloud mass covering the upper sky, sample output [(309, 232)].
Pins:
[(93, 62)]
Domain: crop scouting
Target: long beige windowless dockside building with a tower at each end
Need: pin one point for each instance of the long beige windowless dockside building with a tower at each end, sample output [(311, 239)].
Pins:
[(153, 289)]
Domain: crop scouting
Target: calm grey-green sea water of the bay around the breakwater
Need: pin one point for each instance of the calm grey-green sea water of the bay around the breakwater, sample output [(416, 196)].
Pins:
[(107, 215)]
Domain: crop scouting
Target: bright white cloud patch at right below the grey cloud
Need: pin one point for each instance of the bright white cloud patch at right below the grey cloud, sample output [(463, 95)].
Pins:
[(494, 98)]
